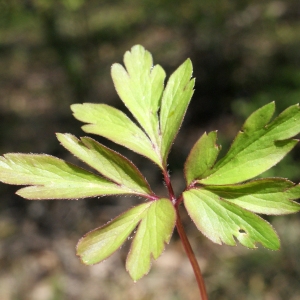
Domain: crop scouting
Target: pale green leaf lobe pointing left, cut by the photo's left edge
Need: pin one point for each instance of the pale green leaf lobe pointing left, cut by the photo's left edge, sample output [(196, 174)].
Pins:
[(53, 178)]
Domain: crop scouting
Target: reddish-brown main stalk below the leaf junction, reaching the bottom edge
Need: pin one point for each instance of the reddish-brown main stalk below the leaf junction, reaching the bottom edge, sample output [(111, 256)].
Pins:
[(190, 253)]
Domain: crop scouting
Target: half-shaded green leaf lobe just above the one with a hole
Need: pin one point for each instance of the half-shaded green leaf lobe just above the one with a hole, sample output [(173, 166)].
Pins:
[(267, 196)]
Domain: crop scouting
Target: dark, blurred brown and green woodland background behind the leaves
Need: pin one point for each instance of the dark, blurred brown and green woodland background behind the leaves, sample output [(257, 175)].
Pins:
[(55, 53)]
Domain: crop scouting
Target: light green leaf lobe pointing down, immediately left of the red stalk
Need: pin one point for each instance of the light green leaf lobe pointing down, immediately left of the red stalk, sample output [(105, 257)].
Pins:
[(153, 232)]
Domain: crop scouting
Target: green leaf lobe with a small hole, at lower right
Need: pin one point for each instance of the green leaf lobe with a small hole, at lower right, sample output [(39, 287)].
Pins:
[(221, 221)]
